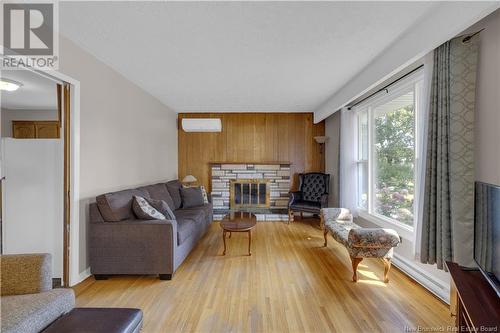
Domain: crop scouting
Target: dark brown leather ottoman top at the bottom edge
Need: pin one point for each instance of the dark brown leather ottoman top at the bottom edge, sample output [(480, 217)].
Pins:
[(109, 320)]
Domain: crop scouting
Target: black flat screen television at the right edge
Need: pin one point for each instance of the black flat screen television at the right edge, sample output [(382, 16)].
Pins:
[(487, 232)]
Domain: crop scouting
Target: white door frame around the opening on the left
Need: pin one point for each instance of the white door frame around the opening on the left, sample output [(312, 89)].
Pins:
[(71, 244)]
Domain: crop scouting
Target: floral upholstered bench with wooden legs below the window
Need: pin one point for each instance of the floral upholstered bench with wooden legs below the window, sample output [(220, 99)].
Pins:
[(359, 242)]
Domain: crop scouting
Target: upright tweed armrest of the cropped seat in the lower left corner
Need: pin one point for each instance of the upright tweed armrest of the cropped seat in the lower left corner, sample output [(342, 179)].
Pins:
[(26, 273)]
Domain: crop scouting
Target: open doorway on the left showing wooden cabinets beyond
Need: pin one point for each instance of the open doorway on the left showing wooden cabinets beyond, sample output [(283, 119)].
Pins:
[(36, 168)]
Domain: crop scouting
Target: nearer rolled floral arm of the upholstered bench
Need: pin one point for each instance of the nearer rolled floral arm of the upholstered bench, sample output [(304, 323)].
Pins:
[(373, 238)]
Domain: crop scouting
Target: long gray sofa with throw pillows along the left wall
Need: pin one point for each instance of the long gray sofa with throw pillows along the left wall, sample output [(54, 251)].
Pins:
[(119, 243)]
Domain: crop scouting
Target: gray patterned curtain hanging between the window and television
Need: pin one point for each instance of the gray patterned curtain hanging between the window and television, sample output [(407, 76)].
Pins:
[(448, 215)]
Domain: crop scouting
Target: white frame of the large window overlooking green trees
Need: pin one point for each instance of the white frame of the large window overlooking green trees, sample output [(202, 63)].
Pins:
[(413, 82)]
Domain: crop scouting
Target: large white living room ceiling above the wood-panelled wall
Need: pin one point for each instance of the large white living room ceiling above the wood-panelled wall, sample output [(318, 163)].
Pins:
[(238, 56)]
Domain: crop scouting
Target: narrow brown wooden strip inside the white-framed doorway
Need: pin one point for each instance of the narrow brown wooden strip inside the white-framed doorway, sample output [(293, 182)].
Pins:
[(67, 183)]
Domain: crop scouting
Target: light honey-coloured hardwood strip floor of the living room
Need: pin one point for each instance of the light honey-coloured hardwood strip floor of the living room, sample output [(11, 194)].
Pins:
[(291, 283)]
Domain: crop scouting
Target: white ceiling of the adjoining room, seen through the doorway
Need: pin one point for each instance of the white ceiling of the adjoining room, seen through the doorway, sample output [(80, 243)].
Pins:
[(37, 92)]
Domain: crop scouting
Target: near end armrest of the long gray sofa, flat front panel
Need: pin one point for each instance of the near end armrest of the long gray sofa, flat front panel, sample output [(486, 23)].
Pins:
[(148, 244)]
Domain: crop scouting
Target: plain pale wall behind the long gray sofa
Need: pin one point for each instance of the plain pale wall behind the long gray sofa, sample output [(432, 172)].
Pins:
[(127, 137)]
